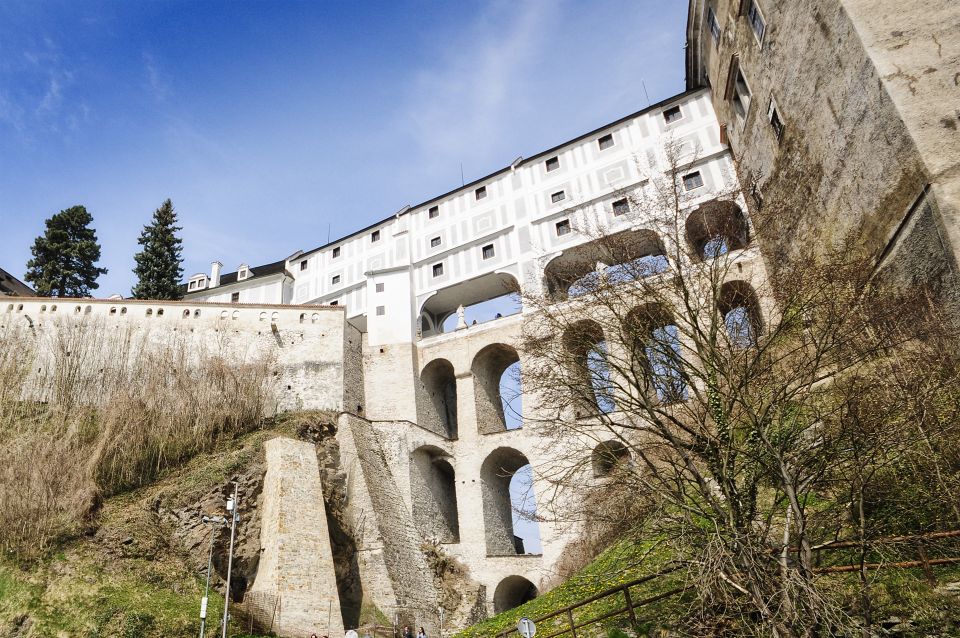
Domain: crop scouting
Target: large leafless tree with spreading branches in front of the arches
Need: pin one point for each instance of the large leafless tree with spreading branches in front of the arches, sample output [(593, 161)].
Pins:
[(749, 419)]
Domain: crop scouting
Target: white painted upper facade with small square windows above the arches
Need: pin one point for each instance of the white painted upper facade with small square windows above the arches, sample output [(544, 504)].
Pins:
[(440, 243)]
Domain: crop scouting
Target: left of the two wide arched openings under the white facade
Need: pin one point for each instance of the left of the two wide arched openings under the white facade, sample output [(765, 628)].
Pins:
[(485, 298)]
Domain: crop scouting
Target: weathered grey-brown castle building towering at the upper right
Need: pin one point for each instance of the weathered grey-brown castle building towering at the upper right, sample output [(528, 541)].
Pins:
[(843, 115)]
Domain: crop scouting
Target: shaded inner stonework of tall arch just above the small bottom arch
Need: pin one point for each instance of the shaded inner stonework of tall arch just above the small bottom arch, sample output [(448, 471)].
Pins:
[(496, 473)]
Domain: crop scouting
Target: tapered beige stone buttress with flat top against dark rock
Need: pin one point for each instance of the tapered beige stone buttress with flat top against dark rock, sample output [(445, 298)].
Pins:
[(296, 561)]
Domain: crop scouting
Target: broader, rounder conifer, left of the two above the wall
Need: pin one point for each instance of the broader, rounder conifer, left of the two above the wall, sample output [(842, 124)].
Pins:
[(65, 257)]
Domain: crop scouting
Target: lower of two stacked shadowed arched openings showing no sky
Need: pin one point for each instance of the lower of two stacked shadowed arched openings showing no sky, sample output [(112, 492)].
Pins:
[(433, 487)]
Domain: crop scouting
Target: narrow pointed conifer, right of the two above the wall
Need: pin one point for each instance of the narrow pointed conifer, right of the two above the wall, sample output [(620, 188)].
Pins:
[(160, 264)]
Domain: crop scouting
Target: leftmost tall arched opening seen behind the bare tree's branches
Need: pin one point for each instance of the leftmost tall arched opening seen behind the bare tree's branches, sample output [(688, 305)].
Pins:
[(589, 364)]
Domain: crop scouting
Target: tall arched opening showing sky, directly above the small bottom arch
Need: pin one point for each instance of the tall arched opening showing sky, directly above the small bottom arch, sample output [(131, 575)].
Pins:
[(509, 504)]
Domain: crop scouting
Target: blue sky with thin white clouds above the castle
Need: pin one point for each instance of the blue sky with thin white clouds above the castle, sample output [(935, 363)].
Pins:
[(267, 123)]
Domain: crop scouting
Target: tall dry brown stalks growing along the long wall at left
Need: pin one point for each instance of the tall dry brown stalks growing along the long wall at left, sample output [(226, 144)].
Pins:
[(87, 411)]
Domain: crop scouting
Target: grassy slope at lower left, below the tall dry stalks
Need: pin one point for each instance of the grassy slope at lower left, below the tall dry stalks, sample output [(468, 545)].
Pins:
[(85, 589)]
